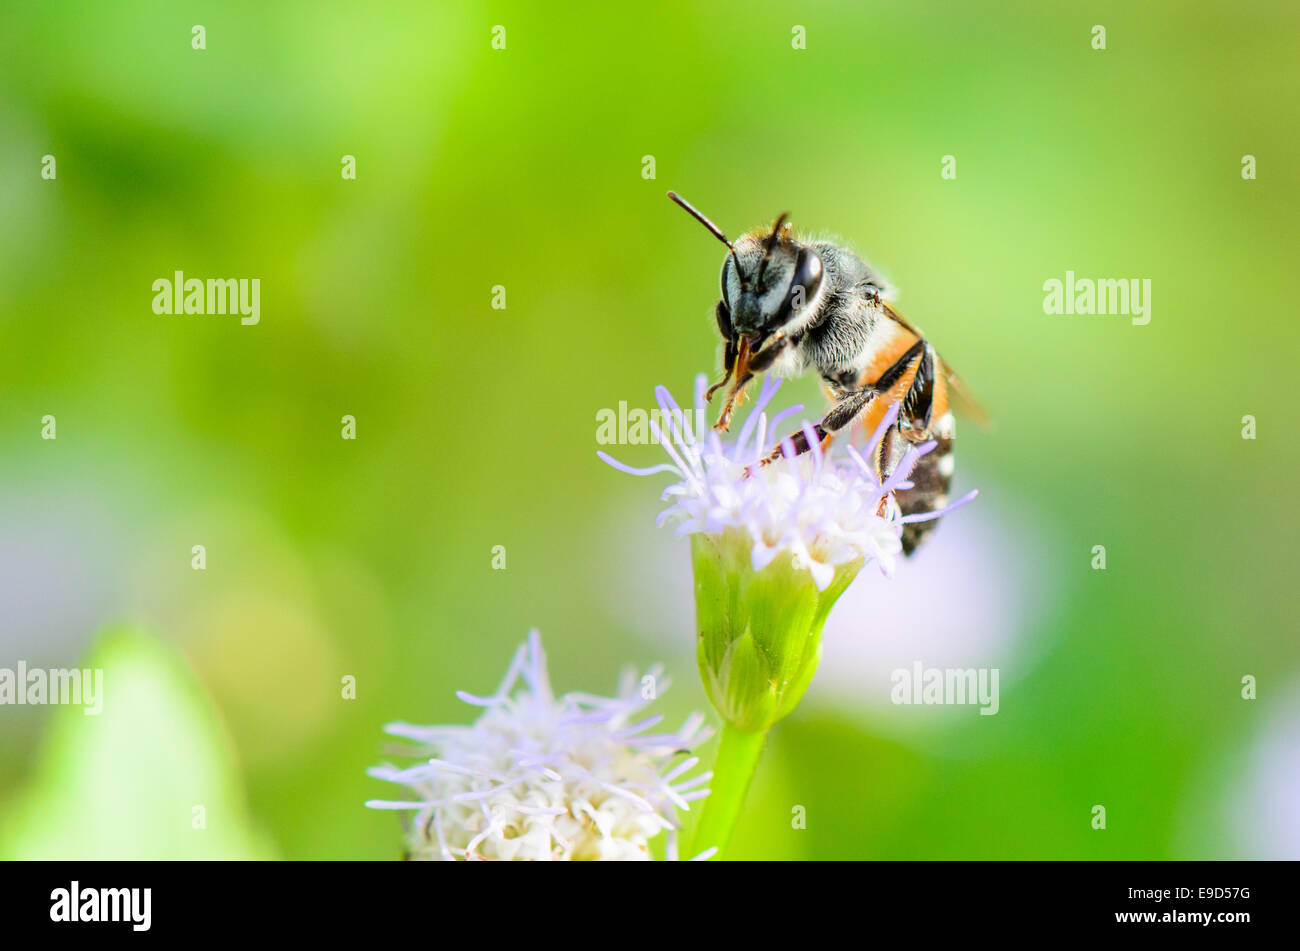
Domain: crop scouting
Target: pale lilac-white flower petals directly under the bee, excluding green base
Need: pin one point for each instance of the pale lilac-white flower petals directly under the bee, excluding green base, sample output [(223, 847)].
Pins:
[(825, 510)]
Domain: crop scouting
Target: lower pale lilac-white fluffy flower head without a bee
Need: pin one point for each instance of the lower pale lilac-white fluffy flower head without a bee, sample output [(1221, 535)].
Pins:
[(539, 778)]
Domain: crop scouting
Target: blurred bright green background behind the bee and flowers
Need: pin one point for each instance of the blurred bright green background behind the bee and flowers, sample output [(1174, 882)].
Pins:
[(523, 168)]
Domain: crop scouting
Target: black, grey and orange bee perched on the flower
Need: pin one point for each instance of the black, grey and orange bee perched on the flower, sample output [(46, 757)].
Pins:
[(791, 306)]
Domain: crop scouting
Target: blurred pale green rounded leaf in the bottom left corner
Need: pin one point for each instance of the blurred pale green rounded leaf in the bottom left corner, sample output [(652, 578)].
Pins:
[(124, 784)]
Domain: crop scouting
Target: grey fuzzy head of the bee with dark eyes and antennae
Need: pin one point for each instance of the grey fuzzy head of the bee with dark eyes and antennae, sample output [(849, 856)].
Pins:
[(768, 280)]
